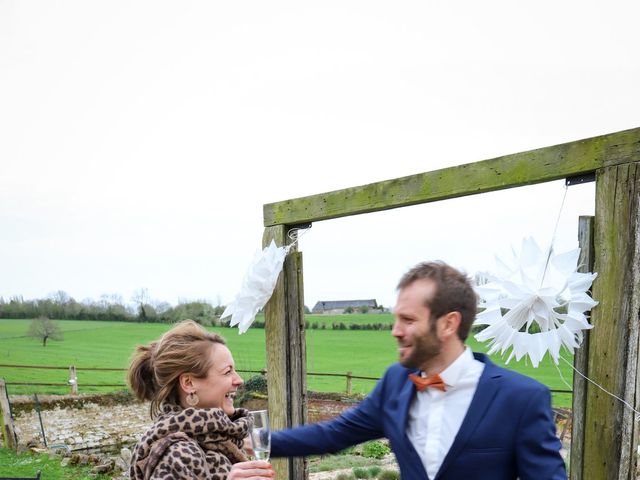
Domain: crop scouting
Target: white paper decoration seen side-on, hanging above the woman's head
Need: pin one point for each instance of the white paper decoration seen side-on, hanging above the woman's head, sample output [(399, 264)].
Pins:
[(257, 286)]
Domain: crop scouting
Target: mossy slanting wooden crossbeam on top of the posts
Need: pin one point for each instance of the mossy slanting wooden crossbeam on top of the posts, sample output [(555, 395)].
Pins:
[(526, 168)]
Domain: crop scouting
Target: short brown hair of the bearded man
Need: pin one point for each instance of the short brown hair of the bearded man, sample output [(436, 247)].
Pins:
[(454, 292)]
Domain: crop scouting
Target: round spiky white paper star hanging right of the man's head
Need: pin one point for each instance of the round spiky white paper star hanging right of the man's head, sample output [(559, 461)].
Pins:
[(536, 303)]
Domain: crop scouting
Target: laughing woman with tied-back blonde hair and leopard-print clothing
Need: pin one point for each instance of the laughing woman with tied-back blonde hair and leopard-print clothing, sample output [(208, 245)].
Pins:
[(189, 376)]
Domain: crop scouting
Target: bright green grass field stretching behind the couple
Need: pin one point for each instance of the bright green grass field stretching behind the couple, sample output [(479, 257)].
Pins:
[(110, 344)]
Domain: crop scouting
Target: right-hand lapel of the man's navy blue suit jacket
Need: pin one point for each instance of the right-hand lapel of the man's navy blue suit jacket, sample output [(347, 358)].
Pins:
[(488, 386)]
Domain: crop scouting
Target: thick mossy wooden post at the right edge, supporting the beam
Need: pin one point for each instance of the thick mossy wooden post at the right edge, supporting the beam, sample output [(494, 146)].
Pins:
[(611, 433)]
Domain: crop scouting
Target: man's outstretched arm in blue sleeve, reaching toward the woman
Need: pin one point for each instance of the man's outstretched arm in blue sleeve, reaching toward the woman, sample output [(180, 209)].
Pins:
[(356, 425)]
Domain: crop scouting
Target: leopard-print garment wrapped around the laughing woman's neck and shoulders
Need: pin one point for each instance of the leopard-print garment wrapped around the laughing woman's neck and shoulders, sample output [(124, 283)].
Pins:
[(191, 443)]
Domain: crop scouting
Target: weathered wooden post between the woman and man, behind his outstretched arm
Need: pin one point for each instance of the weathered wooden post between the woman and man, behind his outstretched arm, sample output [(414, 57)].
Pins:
[(286, 352)]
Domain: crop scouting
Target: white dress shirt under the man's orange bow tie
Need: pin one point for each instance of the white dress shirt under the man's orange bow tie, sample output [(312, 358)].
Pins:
[(435, 416)]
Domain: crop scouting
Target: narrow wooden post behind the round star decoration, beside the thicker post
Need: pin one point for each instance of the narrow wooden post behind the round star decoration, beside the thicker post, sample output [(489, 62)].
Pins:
[(581, 358)]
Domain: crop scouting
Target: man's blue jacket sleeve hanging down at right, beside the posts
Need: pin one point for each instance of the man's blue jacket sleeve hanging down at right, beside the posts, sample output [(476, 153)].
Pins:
[(537, 445)]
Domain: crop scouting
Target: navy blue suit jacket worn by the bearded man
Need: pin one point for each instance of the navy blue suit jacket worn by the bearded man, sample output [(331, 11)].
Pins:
[(507, 433)]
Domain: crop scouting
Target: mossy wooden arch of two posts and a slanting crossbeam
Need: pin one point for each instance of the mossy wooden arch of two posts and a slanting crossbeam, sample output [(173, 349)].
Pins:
[(605, 445)]
